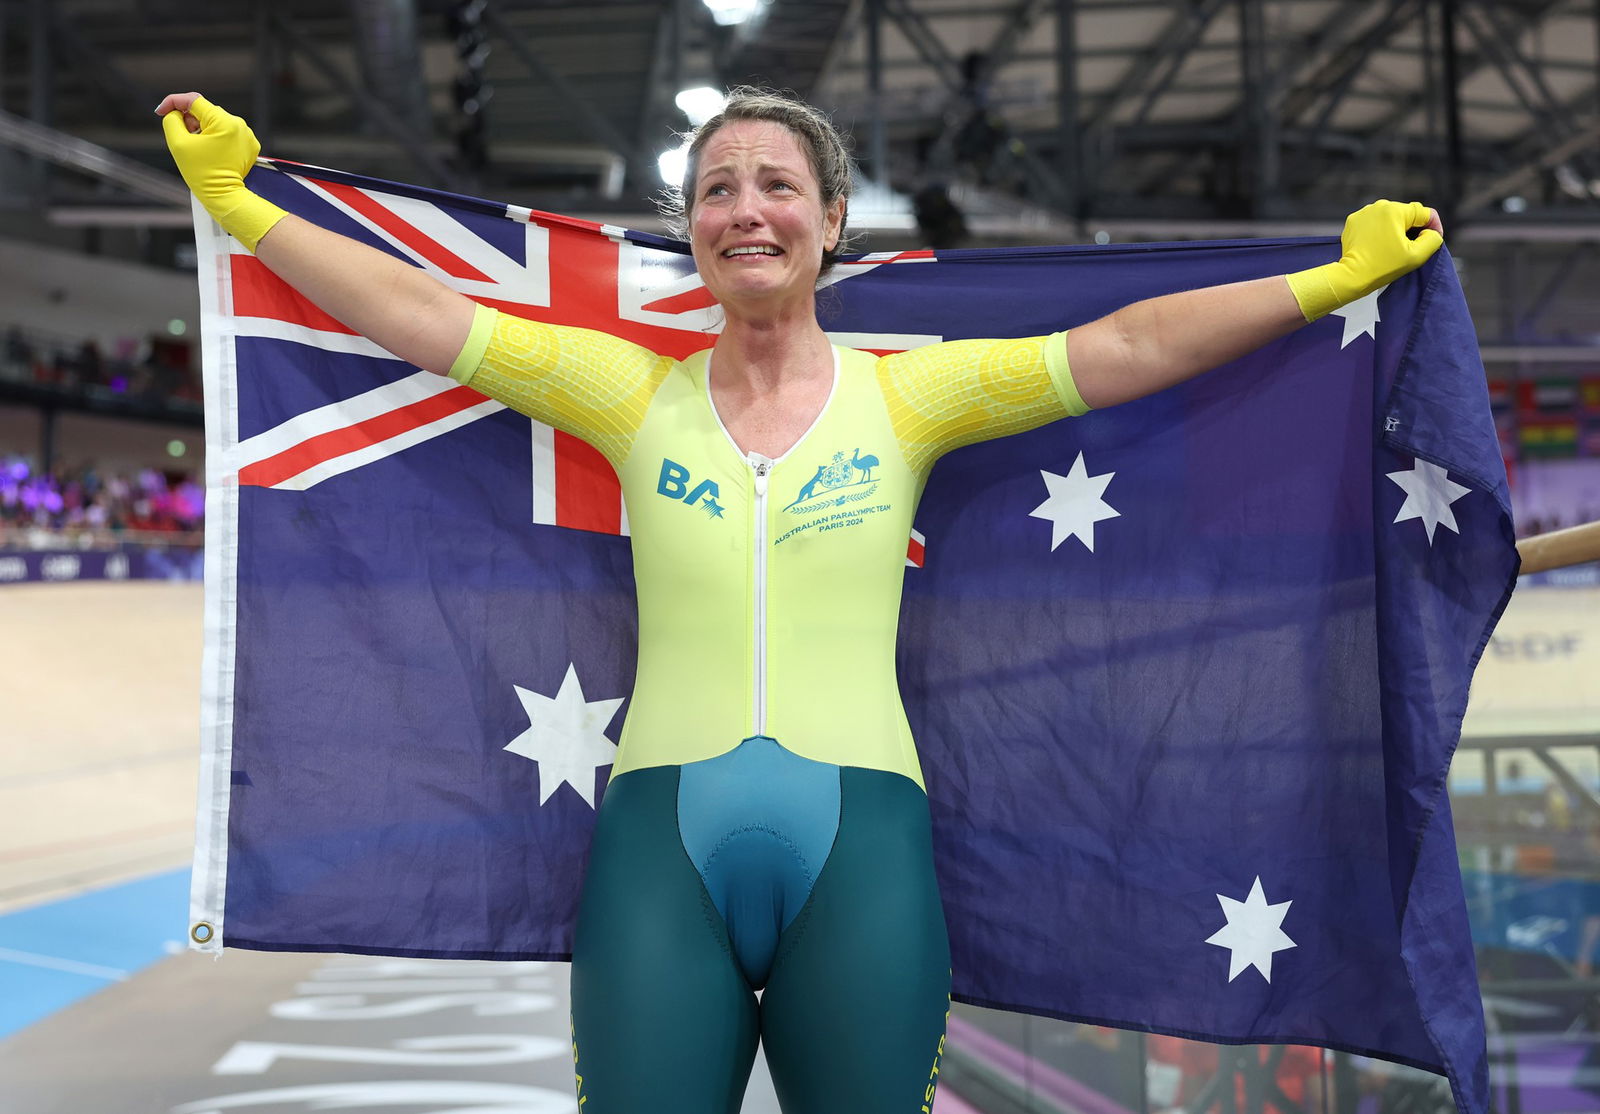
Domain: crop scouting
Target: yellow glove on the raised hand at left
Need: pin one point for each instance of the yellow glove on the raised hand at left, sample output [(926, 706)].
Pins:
[(215, 162)]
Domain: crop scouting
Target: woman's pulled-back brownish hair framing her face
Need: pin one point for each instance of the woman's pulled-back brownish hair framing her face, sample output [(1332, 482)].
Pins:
[(826, 150)]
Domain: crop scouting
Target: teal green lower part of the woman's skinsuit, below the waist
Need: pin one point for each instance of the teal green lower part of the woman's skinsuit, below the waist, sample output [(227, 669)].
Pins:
[(761, 872)]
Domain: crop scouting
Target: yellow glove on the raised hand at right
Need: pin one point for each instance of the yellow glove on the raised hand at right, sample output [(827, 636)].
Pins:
[(1377, 252)]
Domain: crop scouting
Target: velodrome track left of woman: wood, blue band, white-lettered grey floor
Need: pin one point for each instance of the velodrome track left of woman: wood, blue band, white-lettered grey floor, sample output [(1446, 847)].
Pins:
[(102, 1012)]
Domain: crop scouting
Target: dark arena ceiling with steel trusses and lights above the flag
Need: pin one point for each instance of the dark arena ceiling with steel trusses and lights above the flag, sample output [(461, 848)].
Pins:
[(1038, 121)]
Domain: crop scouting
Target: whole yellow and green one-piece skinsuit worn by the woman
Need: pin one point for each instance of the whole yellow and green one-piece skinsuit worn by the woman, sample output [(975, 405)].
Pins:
[(766, 825)]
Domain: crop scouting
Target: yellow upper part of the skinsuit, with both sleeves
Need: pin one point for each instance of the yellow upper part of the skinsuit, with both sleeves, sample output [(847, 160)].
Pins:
[(769, 590)]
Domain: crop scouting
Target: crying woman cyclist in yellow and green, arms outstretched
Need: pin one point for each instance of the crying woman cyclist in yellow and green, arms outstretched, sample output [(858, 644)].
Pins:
[(766, 825)]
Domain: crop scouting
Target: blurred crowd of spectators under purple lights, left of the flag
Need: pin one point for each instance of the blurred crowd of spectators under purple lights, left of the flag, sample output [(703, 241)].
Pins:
[(89, 507)]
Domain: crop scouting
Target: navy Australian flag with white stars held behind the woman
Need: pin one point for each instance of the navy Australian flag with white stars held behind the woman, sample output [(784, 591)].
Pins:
[(1186, 676)]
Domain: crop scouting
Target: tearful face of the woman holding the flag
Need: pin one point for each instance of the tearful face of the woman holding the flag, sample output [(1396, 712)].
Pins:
[(758, 222)]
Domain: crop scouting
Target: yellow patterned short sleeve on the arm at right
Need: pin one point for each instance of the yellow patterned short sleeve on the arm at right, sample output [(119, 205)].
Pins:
[(953, 395)]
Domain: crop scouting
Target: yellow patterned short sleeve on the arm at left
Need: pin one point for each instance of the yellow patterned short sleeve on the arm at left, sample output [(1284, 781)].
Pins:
[(591, 385)]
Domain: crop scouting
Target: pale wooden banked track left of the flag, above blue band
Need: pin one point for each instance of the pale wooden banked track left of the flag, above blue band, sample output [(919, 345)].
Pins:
[(102, 735)]
